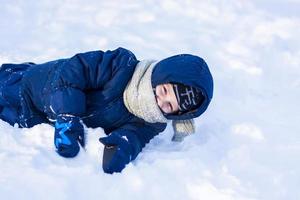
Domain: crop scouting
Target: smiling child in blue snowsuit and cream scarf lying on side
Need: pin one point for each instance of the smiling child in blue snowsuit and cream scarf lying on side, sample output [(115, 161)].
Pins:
[(131, 100)]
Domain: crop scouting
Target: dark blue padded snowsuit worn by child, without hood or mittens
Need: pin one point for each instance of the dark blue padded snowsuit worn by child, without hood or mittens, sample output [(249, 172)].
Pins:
[(89, 85)]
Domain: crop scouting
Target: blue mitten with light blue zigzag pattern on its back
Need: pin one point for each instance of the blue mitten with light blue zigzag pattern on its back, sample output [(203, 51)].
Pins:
[(68, 133)]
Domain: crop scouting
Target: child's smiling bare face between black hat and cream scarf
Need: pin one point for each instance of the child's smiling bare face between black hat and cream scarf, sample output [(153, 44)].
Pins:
[(166, 99)]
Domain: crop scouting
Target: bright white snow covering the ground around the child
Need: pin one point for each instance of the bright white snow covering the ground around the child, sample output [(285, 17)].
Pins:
[(247, 144)]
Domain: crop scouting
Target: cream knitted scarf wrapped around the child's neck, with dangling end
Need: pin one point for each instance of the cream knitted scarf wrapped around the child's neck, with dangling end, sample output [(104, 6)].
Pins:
[(139, 99)]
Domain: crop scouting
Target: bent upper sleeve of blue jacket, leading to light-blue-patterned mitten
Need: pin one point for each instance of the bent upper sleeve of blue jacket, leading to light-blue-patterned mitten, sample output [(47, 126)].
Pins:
[(82, 72)]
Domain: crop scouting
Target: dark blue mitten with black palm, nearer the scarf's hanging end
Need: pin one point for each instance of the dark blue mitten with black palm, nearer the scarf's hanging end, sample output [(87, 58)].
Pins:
[(119, 150)]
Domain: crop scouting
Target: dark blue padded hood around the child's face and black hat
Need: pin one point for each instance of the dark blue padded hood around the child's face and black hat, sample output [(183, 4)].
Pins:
[(189, 70)]
